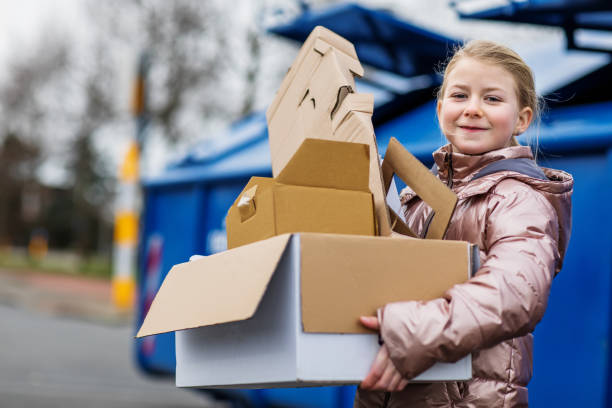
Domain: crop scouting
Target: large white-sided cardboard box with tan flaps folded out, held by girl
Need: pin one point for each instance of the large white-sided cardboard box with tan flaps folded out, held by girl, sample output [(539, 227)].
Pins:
[(284, 311)]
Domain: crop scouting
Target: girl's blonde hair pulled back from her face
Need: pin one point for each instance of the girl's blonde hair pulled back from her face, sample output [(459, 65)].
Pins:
[(497, 54)]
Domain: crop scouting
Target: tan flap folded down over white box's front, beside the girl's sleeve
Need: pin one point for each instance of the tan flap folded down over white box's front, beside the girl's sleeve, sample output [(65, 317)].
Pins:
[(344, 277)]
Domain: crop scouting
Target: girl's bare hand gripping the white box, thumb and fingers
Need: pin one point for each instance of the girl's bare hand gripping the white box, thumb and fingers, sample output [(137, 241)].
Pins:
[(383, 375)]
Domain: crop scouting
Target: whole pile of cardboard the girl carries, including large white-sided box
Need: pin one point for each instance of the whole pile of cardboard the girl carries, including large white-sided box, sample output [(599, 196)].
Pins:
[(311, 250)]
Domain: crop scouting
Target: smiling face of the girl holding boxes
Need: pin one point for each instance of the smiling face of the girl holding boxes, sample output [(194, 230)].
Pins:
[(479, 110)]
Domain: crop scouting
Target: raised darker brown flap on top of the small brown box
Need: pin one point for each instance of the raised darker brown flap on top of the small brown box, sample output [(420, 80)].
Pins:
[(329, 164)]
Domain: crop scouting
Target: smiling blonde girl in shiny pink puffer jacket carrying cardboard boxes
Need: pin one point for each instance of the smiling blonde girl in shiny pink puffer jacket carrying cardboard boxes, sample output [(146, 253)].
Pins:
[(519, 216)]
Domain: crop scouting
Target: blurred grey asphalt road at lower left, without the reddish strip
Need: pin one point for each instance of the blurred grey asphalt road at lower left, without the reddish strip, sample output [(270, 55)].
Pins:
[(48, 361)]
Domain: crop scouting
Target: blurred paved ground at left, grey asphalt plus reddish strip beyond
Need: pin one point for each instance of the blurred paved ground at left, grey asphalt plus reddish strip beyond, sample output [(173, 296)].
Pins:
[(63, 344)]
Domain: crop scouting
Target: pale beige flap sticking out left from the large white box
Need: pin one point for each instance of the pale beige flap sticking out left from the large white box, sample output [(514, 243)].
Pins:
[(220, 288)]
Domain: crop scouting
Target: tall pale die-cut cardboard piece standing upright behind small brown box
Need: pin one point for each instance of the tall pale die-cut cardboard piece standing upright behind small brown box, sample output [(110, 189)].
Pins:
[(317, 99)]
